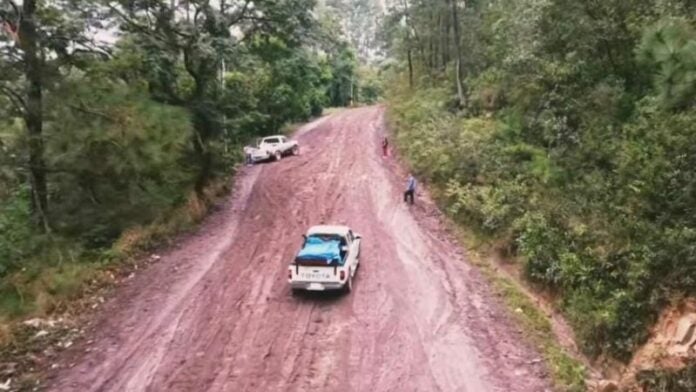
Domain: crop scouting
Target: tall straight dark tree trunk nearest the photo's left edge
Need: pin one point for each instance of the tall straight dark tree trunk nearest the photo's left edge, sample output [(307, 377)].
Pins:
[(33, 117)]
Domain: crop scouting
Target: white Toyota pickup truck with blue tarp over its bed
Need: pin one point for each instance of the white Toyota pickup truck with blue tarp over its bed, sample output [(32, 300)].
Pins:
[(328, 260)]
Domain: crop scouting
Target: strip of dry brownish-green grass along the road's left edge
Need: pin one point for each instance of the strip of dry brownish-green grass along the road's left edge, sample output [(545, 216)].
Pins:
[(49, 281)]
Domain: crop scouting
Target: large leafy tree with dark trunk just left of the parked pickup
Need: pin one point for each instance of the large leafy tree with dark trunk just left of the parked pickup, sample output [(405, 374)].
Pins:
[(200, 33)]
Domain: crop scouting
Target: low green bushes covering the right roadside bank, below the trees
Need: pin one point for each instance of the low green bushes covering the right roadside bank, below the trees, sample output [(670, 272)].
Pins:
[(614, 248)]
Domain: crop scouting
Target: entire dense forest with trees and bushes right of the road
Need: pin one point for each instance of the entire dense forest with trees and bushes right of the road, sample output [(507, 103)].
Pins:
[(564, 132)]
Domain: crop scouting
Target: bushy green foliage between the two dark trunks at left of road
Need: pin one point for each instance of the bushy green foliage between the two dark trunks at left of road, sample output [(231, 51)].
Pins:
[(141, 147)]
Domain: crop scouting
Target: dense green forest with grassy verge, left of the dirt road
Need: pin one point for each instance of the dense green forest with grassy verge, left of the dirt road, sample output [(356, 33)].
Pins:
[(118, 118)]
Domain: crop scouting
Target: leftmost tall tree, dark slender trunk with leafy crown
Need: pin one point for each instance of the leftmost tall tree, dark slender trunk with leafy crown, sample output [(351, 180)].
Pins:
[(43, 38)]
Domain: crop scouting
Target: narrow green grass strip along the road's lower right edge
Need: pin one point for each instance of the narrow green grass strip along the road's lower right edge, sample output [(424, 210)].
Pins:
[(568, 373)]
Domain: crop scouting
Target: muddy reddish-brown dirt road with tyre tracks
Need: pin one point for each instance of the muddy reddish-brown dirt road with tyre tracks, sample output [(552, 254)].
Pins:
[(216, 313)]
